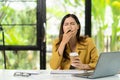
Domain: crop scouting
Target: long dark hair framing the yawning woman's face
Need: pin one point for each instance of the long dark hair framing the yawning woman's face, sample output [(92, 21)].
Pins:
[(61, 32)]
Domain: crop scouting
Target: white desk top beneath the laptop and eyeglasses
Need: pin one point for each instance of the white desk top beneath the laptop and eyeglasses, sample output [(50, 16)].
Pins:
[(45, 75)]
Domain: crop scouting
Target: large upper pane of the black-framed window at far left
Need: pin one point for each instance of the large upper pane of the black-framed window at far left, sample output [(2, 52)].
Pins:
[(18, 19)]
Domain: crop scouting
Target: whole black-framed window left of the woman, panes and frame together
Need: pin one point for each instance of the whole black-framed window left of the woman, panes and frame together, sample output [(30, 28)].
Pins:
[(22, 24)]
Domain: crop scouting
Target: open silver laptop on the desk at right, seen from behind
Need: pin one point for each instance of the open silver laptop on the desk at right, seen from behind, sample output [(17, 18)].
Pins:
[(107, 65)]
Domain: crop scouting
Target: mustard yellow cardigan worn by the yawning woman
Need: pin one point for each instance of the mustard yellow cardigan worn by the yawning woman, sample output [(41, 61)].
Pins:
[(87, 53)]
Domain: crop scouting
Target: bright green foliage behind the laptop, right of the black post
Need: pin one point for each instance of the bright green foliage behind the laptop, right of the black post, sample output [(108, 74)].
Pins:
[(106, 24)]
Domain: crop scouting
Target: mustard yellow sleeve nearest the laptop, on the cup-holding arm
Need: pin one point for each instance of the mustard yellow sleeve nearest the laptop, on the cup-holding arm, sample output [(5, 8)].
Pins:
[(93, 53)]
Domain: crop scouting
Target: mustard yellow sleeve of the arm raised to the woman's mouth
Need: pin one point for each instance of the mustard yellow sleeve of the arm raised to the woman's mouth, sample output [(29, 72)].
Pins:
[(56, 59)]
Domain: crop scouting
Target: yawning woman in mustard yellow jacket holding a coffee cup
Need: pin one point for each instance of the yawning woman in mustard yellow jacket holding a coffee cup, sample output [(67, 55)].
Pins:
[(70, 41)]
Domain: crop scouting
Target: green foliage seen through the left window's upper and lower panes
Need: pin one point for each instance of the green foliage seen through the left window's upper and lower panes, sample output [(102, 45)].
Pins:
[(18, 20)]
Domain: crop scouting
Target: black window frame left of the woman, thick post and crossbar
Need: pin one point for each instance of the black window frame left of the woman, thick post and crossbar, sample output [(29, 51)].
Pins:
[(40, 44)]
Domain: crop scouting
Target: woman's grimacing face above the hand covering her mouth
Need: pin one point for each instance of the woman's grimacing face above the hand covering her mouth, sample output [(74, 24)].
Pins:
[(70, 24)]
